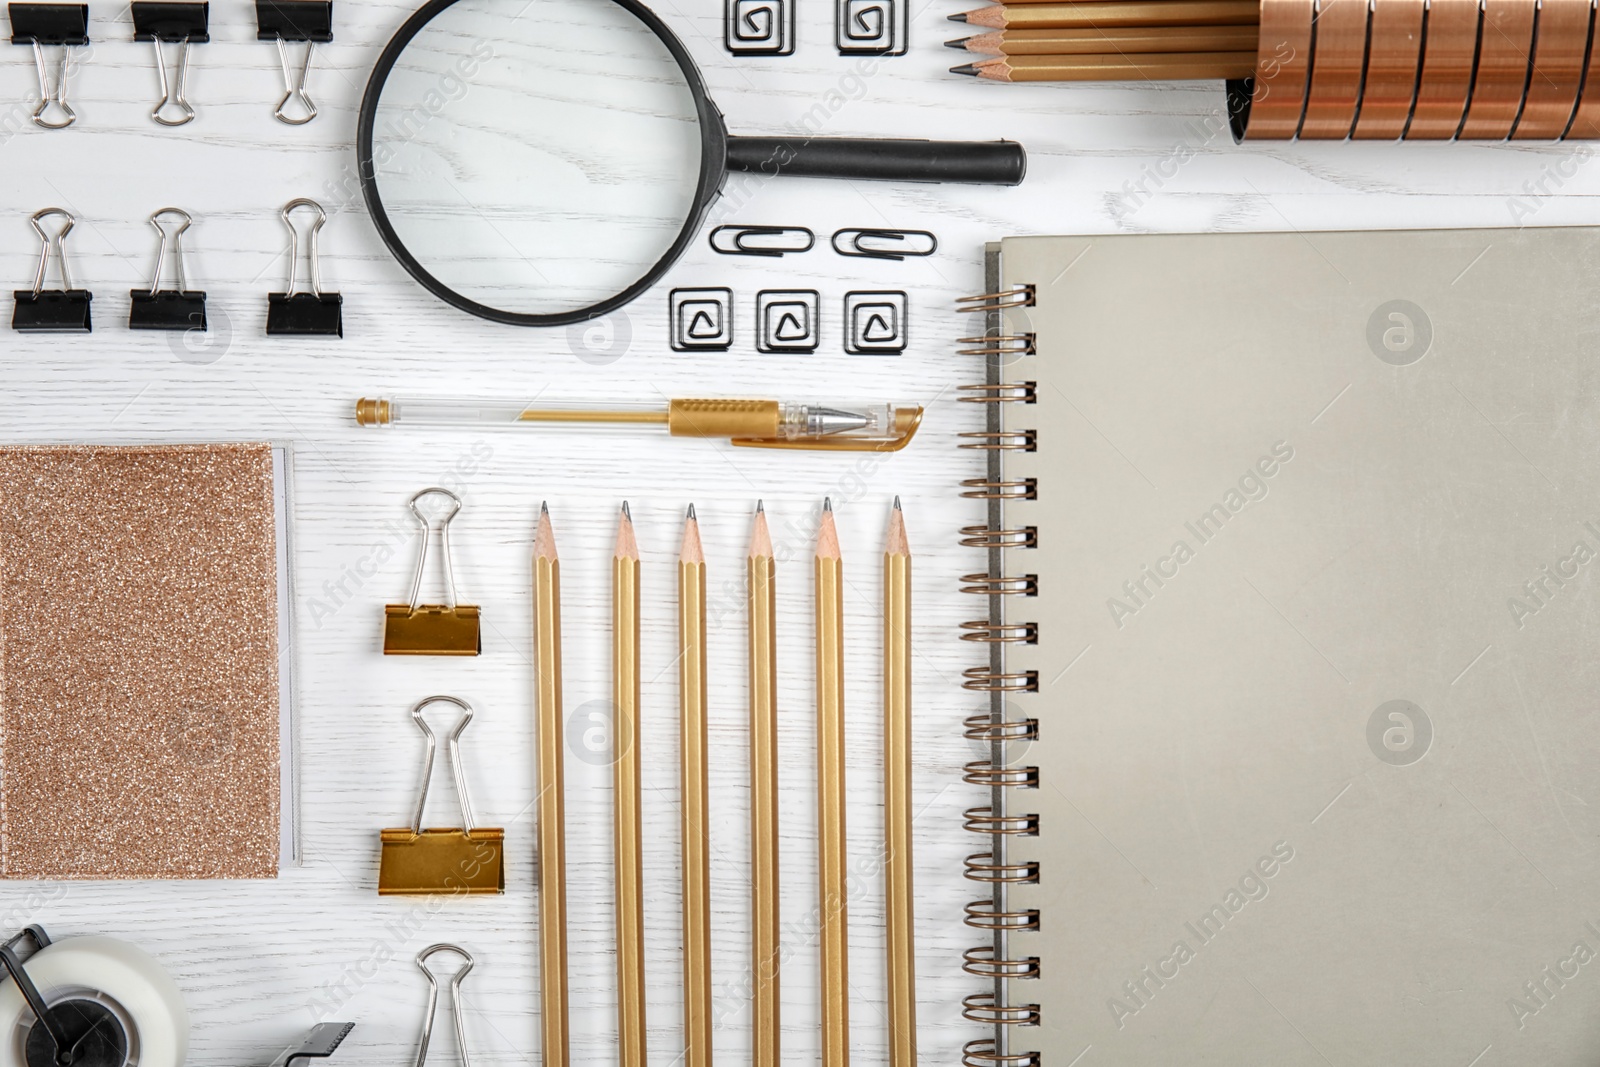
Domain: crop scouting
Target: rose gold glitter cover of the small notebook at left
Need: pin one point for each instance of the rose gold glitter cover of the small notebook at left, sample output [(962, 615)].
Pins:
[(138, 663)]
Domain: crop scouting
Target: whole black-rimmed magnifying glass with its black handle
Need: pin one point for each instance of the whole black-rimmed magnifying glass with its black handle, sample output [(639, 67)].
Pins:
[(543, 162)]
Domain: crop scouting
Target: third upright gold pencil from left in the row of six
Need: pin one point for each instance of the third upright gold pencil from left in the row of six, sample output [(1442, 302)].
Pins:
[(697, 797)]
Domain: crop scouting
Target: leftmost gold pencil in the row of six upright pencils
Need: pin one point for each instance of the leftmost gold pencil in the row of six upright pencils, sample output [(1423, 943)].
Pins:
[(551, 817)]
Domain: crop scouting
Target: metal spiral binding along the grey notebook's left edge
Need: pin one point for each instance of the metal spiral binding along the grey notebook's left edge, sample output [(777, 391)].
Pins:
[(1001, 727)]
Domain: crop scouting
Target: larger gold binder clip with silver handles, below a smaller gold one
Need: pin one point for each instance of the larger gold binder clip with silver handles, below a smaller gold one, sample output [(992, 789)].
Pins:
[(418, 861)]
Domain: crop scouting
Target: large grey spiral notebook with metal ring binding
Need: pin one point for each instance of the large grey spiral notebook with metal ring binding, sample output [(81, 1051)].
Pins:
[(1295, 610)]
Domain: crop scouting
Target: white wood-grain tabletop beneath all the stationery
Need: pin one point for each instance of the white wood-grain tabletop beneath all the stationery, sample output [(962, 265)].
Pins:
[(262, 962)]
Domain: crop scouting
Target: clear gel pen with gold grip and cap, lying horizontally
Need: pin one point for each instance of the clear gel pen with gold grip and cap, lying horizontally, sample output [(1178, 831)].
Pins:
[(748, 423)]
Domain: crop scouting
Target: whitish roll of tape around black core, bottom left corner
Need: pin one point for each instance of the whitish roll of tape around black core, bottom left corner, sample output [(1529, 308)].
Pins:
[(124, 978)]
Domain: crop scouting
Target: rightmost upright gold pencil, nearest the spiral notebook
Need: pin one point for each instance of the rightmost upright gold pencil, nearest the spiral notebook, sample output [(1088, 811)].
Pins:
[(897, 796)]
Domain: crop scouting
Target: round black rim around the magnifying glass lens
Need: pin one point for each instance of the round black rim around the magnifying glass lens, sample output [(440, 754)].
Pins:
[(714, 150)]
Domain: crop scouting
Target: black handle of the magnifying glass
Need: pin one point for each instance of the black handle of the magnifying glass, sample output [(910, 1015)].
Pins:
[(882, 159)]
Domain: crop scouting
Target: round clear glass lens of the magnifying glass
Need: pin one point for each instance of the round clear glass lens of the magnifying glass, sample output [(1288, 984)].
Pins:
[(537, 158)]
